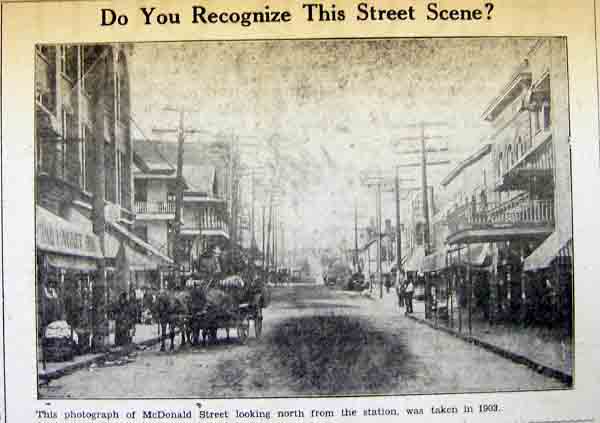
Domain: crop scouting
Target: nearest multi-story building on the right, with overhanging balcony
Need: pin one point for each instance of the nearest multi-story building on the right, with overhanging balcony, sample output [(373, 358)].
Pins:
[(526, 215)]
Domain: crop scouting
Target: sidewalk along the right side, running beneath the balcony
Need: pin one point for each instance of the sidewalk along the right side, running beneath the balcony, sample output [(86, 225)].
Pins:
[(542, 349)]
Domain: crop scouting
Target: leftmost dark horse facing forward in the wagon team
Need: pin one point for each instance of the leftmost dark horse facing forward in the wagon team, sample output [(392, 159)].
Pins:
[(172, 309)]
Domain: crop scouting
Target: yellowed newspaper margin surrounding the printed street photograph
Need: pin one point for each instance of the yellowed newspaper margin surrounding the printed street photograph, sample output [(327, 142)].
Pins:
[(24, 24)]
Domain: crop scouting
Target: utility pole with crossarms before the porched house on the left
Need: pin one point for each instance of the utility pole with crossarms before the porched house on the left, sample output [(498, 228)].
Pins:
[(181, 132)]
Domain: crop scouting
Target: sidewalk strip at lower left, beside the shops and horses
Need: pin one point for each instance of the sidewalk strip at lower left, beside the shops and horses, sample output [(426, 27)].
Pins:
[(144, 335)]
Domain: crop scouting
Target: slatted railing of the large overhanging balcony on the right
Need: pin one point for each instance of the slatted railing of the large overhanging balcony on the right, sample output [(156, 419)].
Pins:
[(517, 212)]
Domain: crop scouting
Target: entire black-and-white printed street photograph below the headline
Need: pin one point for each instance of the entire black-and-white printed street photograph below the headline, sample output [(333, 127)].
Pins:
[(288, 218)]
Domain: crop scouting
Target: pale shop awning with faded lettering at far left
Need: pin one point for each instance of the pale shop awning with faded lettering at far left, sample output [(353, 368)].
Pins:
[(57, 235)]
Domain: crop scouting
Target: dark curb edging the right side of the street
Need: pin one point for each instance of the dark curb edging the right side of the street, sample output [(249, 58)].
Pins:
[(517, 358)]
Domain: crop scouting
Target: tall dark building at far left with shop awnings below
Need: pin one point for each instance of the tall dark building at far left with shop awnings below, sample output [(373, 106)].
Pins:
[(84, 208)]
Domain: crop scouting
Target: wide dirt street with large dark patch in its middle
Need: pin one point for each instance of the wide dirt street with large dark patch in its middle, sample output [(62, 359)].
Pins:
[(315, 342)]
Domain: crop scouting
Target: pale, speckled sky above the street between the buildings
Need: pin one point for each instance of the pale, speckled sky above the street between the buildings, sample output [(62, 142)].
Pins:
[(333, 107)]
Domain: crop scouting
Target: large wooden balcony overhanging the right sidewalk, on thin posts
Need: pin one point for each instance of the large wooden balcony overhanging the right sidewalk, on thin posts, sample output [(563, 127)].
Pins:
[(518, 218)]
